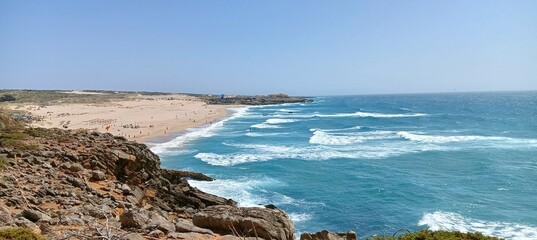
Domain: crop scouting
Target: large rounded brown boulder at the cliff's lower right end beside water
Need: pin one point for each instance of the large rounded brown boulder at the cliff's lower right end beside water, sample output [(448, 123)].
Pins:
[(250, 222)]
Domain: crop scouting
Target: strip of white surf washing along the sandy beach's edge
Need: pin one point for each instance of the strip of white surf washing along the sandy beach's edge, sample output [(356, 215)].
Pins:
[(175, 146)]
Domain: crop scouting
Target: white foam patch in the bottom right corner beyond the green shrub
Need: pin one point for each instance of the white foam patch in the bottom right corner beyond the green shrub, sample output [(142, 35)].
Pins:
[(456, 222)]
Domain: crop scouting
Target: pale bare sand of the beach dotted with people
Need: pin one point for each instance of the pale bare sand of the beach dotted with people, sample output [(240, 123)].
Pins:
[(139, 118)]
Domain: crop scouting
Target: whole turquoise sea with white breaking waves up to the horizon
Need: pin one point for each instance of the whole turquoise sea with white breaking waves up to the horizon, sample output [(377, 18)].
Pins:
[(376, 164)]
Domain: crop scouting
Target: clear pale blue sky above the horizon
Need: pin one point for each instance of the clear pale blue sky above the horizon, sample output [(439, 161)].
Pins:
[(261, 47)]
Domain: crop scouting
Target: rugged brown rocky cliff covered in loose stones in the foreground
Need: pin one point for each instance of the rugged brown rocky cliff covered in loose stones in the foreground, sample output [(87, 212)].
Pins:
[(80, 185)]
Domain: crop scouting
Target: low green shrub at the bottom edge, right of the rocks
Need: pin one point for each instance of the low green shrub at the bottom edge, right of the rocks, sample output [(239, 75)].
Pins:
[(437, 235)]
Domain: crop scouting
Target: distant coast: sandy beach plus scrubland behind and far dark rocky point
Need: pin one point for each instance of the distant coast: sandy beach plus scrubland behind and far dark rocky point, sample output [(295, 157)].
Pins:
[(138, 116)]
